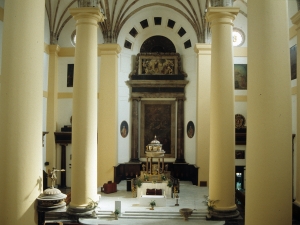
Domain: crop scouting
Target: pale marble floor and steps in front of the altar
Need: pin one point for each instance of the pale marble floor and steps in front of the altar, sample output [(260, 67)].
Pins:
[(190, 196)]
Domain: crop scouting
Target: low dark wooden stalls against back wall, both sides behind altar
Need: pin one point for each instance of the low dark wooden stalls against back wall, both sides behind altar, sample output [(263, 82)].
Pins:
[(181, 171)]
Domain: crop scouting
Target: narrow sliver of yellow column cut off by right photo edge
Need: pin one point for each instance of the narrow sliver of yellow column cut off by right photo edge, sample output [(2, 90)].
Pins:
[(296, 20)]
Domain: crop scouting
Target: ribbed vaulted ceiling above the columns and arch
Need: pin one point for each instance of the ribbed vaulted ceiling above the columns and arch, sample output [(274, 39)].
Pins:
[(118, 12)]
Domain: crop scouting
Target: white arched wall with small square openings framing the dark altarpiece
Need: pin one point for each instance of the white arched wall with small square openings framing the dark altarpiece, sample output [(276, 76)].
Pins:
[(188, 58)]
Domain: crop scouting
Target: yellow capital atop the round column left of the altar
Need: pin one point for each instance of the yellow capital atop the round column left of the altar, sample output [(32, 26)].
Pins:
[(87, 12)]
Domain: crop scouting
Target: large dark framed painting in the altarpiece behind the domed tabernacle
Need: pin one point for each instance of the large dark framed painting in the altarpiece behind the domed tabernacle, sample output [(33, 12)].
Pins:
[(158, 121)]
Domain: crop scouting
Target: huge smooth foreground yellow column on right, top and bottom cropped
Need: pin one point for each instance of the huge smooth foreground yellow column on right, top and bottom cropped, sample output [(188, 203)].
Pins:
[(269, 130)]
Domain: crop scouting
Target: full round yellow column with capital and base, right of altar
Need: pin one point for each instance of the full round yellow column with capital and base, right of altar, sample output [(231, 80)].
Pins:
[(222, 143)]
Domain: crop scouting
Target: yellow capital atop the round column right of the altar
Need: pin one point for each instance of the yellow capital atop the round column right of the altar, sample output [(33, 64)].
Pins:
[(217, 15)]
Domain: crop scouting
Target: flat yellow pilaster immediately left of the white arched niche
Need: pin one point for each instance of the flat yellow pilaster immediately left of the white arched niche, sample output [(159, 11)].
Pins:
[(108, 128)]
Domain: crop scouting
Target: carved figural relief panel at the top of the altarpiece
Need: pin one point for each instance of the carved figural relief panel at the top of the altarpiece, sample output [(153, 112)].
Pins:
[(158, 64)]
